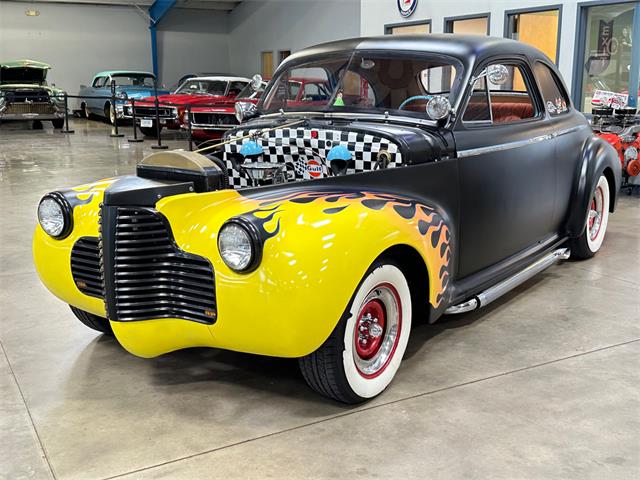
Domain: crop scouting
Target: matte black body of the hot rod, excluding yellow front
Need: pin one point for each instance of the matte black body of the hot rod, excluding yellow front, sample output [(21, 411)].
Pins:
[(510, 193)]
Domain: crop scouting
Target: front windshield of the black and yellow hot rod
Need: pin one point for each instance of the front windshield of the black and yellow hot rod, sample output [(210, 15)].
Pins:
[(361, 81)]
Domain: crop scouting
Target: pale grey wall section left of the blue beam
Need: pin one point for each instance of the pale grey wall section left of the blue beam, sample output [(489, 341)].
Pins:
[(76, 40)]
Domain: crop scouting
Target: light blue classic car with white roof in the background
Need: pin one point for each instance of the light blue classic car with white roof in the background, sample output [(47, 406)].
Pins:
[(96, 98)]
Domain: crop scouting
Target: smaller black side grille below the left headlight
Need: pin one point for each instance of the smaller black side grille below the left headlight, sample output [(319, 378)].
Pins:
[(85, 266)]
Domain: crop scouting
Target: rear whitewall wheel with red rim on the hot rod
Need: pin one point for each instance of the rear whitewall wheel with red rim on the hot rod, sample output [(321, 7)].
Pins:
[(589, 242)]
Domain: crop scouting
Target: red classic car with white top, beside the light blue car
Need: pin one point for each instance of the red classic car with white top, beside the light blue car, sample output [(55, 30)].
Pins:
[(218, 90)]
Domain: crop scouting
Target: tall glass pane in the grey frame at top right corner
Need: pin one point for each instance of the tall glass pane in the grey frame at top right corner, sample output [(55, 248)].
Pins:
[(608, 46)]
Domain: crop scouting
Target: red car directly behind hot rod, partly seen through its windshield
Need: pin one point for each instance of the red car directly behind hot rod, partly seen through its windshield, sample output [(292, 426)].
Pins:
[(210, 123)]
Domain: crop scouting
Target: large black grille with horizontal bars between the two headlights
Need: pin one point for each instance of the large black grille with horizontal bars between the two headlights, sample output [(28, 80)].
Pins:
[(153, 278)]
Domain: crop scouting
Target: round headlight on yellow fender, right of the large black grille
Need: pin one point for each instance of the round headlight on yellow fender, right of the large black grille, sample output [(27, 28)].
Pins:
[(239, 245)]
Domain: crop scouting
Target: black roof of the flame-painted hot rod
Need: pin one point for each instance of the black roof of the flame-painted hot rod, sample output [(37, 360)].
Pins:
[(469, 49)]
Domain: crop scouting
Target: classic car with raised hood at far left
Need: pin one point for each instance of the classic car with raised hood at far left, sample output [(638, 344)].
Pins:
[(25, 95)]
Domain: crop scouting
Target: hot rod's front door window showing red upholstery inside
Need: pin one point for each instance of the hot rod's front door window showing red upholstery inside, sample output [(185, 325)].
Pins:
[(509, 102)]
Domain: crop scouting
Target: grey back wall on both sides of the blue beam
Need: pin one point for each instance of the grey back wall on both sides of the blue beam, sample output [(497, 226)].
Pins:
[(80, 40)]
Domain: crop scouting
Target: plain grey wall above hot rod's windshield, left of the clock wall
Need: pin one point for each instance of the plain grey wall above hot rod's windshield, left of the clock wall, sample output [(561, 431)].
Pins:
[(273, 25)]
